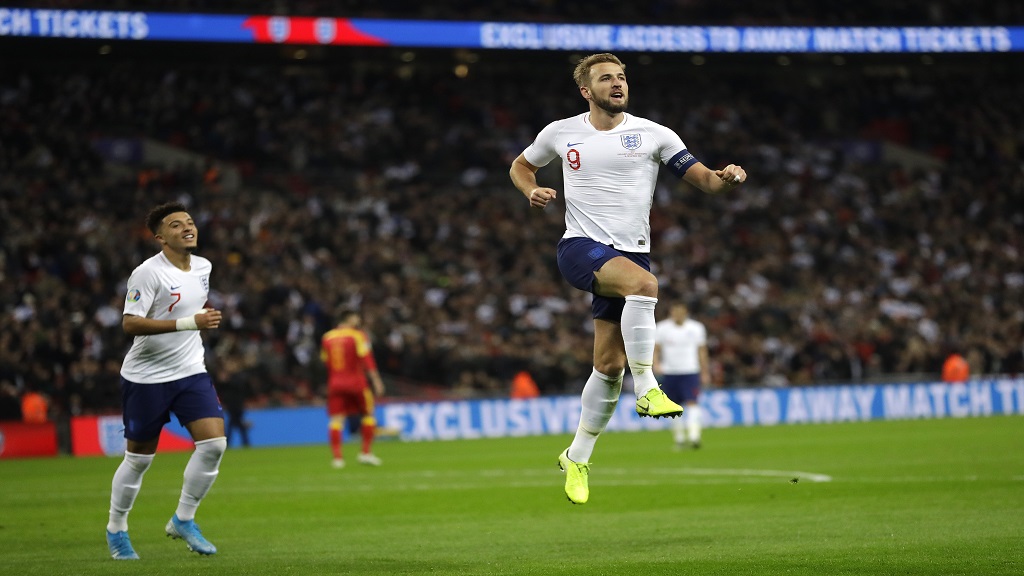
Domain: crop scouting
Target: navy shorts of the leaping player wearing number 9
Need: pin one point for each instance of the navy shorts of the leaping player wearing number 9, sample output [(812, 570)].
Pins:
[(579, 259)]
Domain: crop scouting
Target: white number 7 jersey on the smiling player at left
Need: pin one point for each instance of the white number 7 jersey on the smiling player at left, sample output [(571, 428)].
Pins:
[(160, 291)]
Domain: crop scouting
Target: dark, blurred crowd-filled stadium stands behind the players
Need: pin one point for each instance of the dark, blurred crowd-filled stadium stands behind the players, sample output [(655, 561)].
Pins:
[(882, 228)]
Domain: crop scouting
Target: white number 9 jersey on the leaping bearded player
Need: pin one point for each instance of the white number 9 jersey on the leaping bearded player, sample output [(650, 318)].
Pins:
[(610, 176)]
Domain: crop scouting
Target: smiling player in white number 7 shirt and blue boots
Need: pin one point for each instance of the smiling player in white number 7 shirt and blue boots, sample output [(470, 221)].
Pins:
[(165, 373)]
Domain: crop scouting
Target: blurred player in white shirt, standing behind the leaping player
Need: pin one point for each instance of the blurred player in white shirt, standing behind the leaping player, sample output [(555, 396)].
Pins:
[(681, 359)]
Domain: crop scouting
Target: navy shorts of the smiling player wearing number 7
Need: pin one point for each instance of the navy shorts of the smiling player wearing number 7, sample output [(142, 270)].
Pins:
[(149, 407)]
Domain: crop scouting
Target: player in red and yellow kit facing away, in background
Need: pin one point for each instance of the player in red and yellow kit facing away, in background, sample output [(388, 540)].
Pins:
[(349, 357)]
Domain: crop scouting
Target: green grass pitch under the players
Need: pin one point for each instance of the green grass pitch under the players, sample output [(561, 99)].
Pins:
[(889, 498)]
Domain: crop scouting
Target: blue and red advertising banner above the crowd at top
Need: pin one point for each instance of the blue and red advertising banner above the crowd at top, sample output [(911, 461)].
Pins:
[(109, 25)]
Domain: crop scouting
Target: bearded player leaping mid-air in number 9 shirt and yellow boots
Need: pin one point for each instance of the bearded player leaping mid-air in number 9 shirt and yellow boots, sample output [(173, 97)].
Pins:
[(611, 160)]
